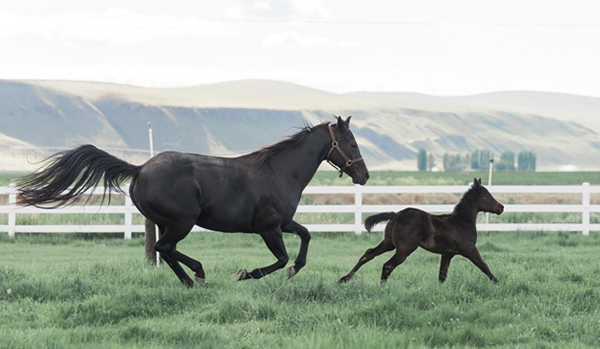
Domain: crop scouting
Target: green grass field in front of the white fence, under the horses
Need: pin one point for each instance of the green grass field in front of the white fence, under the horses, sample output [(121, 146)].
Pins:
[(70, 292)]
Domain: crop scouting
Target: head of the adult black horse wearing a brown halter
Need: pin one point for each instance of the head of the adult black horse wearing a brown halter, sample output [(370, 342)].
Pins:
[(344, 153)]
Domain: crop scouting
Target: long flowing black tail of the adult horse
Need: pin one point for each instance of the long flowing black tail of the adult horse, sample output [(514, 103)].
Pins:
[(66, 175)]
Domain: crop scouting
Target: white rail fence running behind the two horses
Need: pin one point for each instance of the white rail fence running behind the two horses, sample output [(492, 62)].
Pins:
[(585, 208)]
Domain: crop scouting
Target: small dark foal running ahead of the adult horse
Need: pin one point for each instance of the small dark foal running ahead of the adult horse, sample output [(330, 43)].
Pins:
[(448, 234)]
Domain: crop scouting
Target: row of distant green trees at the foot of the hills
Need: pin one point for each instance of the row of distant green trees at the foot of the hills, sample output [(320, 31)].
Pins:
[(479, 160)]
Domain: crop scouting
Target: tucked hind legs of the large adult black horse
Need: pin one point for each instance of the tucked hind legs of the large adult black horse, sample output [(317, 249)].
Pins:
[(167, 244)]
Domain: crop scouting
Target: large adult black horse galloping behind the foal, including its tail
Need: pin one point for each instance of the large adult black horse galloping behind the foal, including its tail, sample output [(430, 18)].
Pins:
[(254, 193)]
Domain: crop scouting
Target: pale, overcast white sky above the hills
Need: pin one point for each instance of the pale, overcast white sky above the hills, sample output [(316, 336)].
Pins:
[(436, 47)]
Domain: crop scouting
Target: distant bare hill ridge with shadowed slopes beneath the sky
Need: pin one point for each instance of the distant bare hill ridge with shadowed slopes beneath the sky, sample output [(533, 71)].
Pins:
[(237, 117)]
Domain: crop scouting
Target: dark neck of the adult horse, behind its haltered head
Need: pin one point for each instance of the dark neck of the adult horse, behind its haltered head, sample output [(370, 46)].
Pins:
[(299, 164)]
